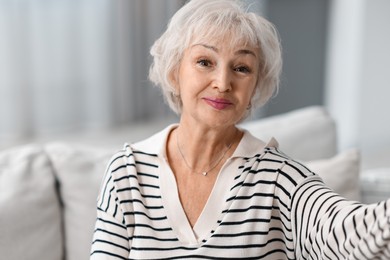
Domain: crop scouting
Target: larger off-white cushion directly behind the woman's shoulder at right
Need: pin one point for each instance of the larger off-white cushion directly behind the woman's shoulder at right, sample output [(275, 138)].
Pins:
[(307, 134)]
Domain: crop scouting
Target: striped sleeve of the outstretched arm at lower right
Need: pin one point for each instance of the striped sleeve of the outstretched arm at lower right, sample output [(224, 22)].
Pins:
[(327, 226)]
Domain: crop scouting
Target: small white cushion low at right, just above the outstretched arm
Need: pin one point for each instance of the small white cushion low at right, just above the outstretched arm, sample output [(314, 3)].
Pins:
[(341, 173)]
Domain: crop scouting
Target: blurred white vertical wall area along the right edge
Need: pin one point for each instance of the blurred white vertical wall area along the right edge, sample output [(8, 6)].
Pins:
[(357, 85)]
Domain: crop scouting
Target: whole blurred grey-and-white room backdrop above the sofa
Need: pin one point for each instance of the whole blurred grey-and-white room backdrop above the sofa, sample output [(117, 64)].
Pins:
[(78, 69)]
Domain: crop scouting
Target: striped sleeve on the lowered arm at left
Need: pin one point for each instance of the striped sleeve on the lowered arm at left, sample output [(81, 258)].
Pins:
[(111, 238)]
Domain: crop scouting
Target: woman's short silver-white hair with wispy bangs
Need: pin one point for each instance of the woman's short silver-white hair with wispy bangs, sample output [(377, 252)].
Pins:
[(213, 19)]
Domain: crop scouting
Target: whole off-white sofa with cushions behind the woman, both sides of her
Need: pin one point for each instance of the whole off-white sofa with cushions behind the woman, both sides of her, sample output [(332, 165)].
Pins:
[(48, 191)]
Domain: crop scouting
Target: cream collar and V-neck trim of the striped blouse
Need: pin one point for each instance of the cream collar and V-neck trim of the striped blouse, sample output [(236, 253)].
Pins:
[(217, 204)]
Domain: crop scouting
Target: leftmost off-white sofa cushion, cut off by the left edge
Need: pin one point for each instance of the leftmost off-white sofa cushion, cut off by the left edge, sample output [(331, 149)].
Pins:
[(30, 218)]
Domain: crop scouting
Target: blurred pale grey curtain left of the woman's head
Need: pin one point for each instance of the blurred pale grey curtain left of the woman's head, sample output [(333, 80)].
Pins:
[(72, 65)]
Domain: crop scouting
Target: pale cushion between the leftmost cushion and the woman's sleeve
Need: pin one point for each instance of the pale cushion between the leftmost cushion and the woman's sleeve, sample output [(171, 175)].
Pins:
[(80, 170)]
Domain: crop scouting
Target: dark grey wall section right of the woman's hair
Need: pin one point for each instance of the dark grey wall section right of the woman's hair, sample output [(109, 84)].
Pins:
[(302, 25)]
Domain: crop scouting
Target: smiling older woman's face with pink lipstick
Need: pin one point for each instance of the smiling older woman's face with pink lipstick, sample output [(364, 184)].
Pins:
[(216, 82)]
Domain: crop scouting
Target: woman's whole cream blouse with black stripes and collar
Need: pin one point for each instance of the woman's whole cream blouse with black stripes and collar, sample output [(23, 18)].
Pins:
[(263, 205)]
